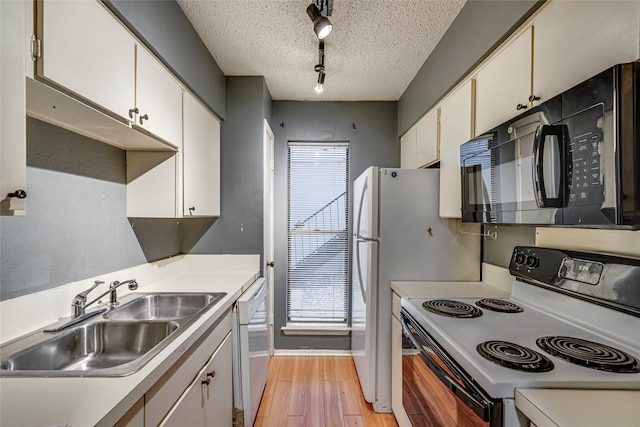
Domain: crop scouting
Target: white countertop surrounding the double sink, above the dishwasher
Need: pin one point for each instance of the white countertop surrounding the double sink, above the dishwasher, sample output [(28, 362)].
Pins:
[(103, 401)]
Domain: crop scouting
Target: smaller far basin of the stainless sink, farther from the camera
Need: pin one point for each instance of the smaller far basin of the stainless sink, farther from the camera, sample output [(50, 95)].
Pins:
[(163, 306)]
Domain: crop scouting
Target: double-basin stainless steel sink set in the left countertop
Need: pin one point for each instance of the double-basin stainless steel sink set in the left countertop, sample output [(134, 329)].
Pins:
[(118, 343)]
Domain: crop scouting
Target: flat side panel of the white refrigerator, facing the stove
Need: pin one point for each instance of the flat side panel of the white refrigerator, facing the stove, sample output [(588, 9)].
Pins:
[(415, 245)]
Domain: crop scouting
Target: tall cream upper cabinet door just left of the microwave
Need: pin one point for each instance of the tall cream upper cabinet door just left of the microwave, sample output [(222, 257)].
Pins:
[(455, 129)]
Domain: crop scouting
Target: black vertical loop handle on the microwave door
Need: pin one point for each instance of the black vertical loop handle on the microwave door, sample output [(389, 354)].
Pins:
[(560, 132)]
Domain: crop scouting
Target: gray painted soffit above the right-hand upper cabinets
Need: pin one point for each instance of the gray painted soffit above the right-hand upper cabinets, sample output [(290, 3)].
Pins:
[(480, 26)]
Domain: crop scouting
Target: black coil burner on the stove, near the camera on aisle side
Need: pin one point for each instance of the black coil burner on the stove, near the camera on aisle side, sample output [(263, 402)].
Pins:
[(514, 356)]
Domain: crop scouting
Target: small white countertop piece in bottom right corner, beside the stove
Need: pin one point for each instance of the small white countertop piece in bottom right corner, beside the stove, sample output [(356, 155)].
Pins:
[(580, 408)]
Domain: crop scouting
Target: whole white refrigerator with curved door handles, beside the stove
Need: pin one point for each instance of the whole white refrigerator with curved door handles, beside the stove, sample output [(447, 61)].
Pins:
[(397, 235)]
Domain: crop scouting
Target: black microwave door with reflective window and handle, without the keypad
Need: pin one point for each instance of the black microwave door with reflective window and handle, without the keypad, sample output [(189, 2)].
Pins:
[(519, 181)]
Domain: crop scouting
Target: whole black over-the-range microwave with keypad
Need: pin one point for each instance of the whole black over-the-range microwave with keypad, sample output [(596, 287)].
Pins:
[(573, 160)]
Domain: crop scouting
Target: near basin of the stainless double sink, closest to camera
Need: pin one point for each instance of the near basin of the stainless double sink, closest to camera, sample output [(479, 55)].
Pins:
[(92, 347)]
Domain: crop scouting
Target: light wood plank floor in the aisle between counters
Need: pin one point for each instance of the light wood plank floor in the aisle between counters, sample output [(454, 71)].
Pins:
[(316, 392)]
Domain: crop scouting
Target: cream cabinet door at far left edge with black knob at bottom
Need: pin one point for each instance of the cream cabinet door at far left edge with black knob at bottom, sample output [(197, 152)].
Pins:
[(13, 157)]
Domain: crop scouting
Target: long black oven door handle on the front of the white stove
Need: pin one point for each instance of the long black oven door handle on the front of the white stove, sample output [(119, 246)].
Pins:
[(476, 404)]
